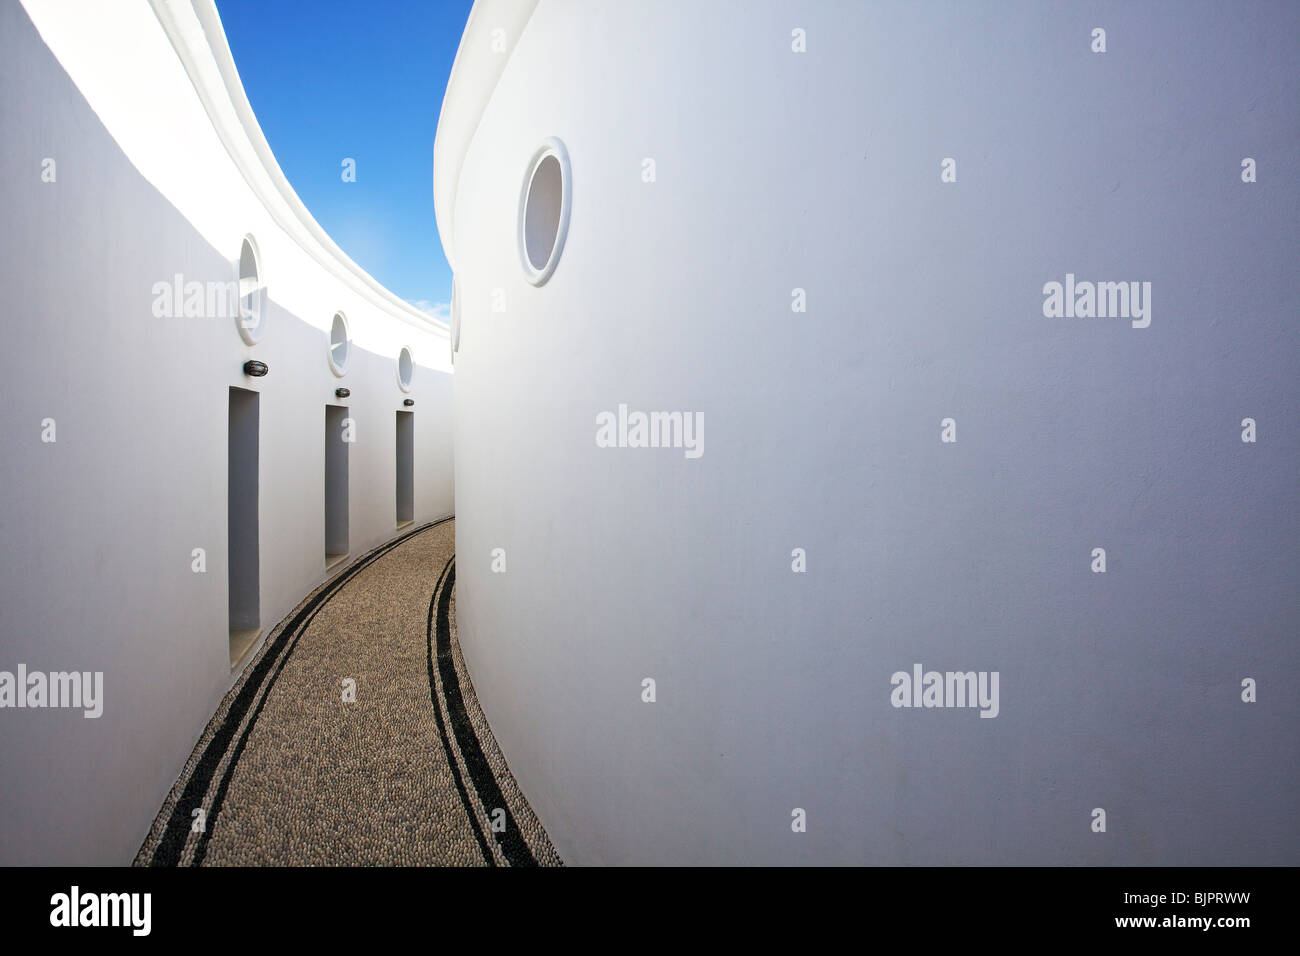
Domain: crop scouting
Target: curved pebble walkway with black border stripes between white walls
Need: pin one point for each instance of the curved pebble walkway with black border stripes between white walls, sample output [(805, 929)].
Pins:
[(293, 771)]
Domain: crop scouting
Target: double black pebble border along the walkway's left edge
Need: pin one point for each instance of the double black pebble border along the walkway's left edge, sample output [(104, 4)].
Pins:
[(172, 843)]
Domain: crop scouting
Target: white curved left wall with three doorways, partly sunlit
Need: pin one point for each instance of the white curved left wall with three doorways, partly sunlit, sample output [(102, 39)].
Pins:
[(155, 176)]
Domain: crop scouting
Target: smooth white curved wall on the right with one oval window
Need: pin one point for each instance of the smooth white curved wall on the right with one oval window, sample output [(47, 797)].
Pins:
[(822, 171)]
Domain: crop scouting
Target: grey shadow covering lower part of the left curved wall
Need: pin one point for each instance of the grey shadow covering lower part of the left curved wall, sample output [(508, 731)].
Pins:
[(116, 512)]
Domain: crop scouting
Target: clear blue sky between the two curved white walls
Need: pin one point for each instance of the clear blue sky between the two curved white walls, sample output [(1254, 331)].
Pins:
[(339, 79)]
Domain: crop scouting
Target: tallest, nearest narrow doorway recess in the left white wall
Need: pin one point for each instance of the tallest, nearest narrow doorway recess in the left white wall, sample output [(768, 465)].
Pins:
[(242, 524)]
